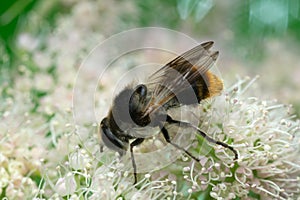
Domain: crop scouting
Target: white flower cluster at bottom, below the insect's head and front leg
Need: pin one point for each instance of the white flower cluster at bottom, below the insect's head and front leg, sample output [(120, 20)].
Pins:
[(82, 176)]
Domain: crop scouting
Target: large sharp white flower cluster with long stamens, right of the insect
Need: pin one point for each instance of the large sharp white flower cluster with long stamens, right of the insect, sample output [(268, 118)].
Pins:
[(267, 138)]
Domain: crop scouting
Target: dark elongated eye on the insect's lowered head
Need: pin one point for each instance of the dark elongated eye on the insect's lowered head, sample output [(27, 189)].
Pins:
[(109, 139)]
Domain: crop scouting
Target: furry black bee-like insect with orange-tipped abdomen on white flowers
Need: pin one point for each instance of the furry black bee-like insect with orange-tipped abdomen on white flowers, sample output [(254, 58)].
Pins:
[(186, 80)]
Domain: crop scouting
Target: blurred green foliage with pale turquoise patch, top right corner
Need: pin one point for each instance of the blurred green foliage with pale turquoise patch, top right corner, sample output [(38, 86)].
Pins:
[(254, 22)]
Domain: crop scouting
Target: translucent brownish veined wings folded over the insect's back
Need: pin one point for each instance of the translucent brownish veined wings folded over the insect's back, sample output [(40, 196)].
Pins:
[(179, 74)]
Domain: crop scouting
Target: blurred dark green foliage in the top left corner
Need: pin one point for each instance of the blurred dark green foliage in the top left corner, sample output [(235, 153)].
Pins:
[(16, 17)]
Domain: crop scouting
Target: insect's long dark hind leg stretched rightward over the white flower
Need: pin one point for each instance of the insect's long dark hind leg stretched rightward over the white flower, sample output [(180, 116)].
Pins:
[(204, 135)]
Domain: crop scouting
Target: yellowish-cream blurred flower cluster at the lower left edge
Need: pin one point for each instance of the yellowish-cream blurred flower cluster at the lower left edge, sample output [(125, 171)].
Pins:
[(21, 150)]
